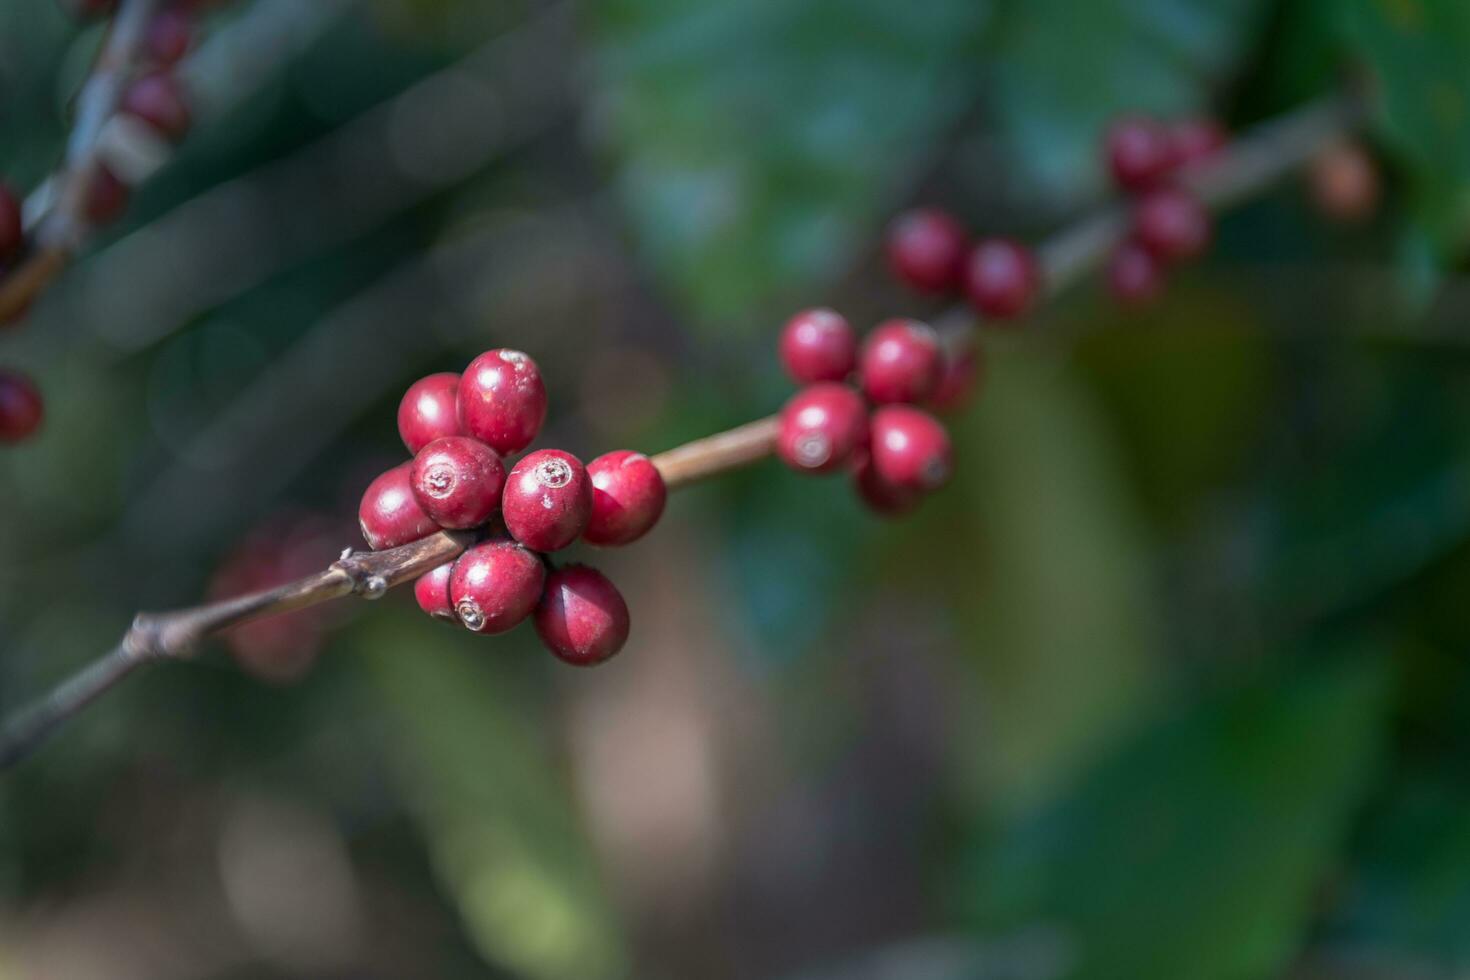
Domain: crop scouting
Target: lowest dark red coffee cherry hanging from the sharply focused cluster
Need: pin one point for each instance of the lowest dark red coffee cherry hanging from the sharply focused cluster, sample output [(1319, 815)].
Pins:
[(583, 619)]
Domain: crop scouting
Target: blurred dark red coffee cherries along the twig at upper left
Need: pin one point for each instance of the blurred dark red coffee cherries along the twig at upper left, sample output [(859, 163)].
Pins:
[(154, 98)]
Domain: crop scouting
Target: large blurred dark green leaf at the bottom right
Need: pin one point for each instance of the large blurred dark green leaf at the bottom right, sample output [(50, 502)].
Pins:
[(1194, 851)]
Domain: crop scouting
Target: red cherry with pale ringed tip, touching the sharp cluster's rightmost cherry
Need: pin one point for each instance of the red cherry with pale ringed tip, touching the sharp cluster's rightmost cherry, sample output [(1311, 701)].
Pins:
[(548, 502)]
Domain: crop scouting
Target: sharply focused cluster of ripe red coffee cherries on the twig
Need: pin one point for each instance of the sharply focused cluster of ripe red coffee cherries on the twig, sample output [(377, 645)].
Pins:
[(461, 428)]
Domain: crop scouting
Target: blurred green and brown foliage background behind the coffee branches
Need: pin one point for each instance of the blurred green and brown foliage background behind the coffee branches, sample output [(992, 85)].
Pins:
[(1174, 681)]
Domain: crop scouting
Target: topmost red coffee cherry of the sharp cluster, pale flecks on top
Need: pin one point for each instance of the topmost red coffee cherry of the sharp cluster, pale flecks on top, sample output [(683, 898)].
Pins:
[(502, 400)]
